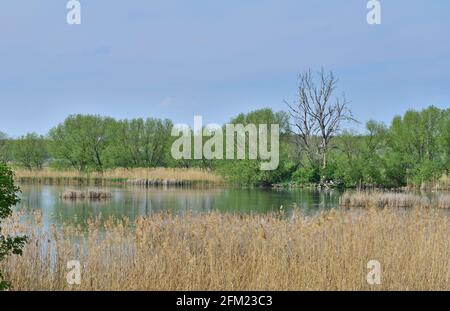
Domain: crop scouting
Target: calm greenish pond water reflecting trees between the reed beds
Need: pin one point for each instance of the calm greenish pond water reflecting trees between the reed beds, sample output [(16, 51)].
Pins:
[(133, 201)]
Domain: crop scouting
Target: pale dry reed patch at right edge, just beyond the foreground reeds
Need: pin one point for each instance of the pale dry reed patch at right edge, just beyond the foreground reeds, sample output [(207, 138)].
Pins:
[(392, 199)]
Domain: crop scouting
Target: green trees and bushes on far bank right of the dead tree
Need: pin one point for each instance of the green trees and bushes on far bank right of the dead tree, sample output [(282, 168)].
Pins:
[(414, 149)]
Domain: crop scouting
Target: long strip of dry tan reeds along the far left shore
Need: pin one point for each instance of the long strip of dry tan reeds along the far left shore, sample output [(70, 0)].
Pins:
[(118, 175)]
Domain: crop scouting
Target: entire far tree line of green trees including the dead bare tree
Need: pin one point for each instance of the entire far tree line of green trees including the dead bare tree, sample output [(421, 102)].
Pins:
[(316, 144)]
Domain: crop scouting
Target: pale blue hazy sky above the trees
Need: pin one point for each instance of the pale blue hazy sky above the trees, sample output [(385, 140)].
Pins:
[(179, 58)]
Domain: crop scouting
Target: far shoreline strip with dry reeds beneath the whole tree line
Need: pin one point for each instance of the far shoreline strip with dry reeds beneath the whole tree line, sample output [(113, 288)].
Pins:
[(190, 177)]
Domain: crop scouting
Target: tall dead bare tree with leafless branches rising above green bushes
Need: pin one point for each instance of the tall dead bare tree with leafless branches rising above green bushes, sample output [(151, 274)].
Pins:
[(317, 114)]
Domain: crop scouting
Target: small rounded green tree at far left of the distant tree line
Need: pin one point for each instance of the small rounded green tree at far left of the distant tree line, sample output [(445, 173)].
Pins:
[(30, 151)]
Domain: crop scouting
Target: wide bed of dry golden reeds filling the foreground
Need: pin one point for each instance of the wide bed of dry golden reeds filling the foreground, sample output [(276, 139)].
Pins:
[(329, 251)]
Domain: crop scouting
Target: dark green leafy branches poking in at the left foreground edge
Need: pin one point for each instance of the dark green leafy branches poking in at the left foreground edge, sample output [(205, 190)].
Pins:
[(8, 198)]
